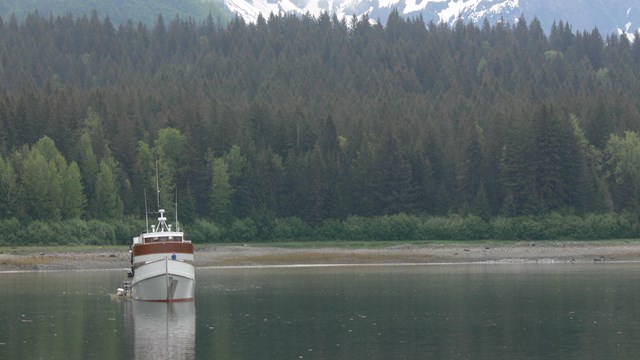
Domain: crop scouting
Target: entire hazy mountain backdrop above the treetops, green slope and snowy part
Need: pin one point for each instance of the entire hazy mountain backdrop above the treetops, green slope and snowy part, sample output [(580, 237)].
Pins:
[(609, 16)]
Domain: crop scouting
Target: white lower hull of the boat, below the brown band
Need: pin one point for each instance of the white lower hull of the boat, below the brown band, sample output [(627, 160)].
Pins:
[(164, 280)]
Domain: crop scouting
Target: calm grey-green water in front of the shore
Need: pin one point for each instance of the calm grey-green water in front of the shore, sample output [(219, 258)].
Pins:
[(406, 312)]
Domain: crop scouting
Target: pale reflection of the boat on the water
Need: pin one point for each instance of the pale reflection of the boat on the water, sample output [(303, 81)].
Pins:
[(162, 330)]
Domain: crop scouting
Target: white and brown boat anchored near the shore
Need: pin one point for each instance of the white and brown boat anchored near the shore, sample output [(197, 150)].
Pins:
[(162, 265)]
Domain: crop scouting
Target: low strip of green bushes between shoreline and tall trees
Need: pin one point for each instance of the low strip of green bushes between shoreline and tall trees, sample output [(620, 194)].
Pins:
[(401, 227)]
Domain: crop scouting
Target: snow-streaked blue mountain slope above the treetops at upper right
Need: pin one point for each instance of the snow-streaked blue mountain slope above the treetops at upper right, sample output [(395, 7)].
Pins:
[(608, 16)]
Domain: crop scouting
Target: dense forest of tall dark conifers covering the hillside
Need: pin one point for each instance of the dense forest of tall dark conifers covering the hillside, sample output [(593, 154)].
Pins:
[(315, 119)]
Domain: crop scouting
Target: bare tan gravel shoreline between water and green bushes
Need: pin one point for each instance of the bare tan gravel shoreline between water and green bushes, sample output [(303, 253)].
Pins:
[(402, 253)]
